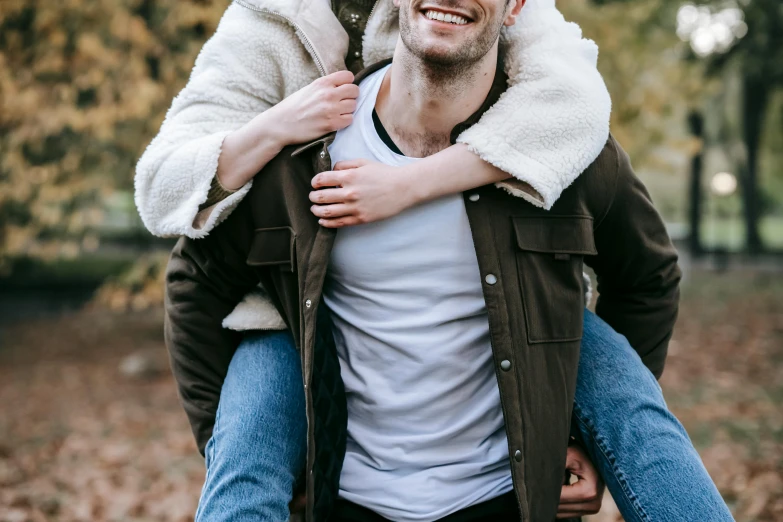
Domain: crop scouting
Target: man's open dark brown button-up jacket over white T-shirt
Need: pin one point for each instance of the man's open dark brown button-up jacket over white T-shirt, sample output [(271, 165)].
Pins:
[(531, 263)]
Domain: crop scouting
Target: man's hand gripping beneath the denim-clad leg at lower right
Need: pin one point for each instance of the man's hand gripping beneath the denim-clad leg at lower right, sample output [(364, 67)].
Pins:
[(584, 496)]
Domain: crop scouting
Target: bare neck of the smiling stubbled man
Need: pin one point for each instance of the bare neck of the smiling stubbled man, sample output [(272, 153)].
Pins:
[(420, 104)]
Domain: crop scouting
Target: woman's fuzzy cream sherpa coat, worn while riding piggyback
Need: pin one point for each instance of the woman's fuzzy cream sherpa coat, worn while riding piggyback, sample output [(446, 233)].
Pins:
[(545, 130)]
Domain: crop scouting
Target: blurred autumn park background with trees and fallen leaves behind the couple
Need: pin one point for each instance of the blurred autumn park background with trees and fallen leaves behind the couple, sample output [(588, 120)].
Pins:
[(91, 429)]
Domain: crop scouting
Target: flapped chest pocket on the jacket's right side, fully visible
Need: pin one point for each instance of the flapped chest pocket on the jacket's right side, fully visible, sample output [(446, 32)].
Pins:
[(549, 263)]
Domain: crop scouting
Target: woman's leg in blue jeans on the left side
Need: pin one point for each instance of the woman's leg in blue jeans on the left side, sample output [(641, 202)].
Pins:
[(259, 444)]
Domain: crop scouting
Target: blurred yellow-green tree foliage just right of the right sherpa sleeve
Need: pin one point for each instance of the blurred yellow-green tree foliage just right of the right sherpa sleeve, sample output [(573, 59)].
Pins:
[(652, 87)]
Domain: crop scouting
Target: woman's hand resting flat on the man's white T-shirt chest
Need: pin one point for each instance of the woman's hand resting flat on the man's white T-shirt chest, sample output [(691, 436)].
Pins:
[(361, 191)]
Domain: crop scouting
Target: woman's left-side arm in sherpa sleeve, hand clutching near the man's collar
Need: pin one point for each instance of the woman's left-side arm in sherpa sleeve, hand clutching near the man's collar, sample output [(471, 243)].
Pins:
[(217, 134)]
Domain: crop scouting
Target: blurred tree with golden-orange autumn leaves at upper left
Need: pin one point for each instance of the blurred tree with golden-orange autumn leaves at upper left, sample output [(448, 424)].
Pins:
[(84, 85)]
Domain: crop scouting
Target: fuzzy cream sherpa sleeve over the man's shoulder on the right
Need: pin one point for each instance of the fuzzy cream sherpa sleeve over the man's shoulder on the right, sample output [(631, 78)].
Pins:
[(553, 120)]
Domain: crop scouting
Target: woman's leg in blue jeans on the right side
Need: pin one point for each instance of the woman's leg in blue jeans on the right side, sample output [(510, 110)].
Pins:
[(644, 454)]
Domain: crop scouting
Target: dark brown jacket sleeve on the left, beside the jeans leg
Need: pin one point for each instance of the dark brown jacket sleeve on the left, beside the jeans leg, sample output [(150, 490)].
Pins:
[(205, 279)]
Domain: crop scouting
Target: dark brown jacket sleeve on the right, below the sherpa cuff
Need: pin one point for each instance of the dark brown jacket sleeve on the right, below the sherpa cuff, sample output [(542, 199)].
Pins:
[(636, 267)]
